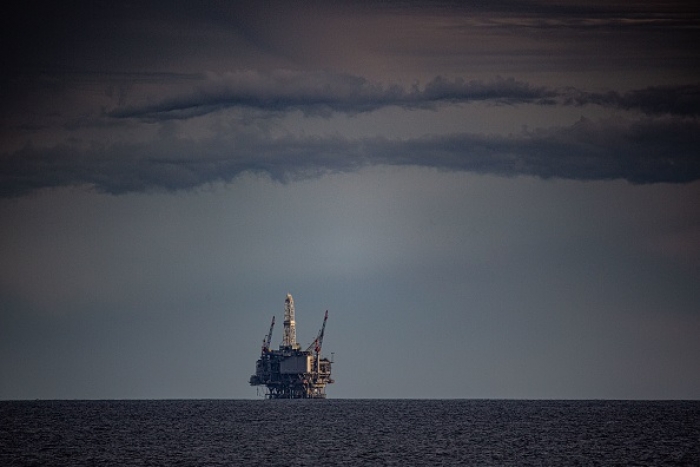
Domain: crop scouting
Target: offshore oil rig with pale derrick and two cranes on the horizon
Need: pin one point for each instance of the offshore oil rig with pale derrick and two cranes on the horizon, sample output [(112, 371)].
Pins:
[(292, 373)]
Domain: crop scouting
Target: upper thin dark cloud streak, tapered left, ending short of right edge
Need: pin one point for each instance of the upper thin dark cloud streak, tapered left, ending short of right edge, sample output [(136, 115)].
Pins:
[(322, 92)]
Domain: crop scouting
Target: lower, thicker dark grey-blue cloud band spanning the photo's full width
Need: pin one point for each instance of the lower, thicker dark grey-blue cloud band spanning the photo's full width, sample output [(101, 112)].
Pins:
[(646, 151)]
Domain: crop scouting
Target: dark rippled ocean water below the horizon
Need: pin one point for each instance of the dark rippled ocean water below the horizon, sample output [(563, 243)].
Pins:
[(349, 433)]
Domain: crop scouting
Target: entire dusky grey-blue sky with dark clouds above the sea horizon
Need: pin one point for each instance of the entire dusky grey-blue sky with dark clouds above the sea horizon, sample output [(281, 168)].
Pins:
[(492, 199)]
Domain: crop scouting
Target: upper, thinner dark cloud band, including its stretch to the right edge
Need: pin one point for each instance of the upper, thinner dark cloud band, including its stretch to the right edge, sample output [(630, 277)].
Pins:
[(325, 92)]
